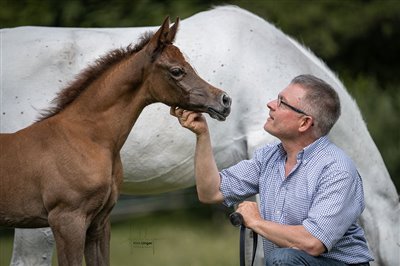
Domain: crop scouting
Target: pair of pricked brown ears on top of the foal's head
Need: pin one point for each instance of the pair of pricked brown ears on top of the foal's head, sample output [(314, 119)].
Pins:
[(162, 37)]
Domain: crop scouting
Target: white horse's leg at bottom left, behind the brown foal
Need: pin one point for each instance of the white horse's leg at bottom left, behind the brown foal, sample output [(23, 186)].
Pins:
[(32, 247)]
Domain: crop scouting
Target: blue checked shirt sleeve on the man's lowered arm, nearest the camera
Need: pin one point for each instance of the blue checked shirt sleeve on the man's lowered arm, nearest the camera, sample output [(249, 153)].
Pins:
[(337, 205)]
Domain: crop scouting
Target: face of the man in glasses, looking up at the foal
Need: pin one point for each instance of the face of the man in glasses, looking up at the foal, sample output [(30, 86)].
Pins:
[(285, 118)]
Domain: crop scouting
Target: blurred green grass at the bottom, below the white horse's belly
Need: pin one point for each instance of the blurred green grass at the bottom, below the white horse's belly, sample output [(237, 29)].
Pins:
[(197, 236)]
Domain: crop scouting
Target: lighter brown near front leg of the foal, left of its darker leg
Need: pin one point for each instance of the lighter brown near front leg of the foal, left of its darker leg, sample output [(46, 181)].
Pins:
[(69, 229)]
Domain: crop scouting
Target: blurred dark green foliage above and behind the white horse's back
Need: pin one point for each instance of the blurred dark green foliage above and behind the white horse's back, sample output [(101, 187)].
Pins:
[(358, 39)]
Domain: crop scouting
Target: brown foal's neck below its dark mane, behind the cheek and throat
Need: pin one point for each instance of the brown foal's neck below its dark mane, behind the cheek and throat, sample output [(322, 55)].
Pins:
[(110, 106)]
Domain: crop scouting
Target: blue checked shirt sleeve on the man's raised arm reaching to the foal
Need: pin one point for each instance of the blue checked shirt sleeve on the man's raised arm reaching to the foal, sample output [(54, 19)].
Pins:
[(241, 181)]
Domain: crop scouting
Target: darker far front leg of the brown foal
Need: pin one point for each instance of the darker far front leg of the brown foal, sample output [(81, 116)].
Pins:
[(97, 245)]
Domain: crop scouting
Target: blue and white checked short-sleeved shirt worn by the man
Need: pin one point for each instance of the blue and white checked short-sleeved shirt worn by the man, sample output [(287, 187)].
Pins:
[(323, 192)]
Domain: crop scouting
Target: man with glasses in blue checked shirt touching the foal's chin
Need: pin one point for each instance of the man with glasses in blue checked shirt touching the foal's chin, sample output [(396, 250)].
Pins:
[(311, 194)]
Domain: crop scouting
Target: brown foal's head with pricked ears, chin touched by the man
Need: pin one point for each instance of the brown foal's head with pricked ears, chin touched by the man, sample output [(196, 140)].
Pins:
[(171, 80)]
